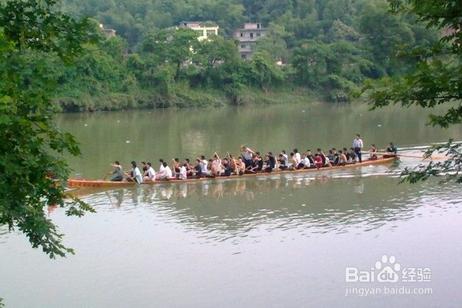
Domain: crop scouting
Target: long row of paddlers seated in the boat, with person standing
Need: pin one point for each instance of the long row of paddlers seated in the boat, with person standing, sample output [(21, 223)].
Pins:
[(249, 162)]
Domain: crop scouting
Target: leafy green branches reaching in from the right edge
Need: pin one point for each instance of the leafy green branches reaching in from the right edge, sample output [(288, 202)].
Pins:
[(436, 80)]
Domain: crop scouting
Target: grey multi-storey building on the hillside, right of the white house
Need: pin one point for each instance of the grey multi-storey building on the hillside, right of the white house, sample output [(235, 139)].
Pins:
[(247, 36)]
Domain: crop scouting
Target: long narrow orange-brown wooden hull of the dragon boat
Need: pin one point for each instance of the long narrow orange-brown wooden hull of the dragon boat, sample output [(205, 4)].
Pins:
[(74, 183)]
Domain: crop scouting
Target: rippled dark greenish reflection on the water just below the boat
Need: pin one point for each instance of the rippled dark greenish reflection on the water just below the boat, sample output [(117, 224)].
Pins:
[(231, 208)]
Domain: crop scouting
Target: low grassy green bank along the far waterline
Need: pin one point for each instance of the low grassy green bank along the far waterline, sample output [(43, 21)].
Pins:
[(183, 97)]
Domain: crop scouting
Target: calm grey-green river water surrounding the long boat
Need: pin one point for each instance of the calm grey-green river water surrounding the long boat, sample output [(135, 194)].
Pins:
[(283, 241)]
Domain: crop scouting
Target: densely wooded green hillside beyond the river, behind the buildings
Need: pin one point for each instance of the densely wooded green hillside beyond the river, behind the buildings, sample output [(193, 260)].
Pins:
[(326, 47)]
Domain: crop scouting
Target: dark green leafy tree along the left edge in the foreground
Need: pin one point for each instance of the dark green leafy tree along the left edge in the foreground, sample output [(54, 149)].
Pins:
[(31, 147)]
